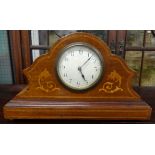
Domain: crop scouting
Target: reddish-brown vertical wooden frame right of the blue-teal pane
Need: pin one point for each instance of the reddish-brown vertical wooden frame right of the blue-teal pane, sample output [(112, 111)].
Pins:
[(20, 53)]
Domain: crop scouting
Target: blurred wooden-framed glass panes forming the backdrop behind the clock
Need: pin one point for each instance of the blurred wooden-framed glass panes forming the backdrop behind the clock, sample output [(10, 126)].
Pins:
[(18, 50)]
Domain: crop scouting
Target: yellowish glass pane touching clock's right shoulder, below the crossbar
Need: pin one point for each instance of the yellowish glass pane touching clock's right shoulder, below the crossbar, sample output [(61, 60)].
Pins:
[(133, 59)]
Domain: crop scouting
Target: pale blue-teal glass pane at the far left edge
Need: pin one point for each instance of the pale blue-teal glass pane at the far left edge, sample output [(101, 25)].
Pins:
[(5, 62)]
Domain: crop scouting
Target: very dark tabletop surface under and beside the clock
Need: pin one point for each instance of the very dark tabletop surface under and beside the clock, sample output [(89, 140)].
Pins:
[(7, 92)]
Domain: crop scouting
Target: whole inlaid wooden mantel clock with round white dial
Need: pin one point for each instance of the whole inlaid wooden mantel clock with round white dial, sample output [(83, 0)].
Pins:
[(78, 78)]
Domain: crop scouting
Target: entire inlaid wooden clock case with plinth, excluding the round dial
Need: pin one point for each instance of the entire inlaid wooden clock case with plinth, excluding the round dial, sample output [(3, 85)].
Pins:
[(45, 97)]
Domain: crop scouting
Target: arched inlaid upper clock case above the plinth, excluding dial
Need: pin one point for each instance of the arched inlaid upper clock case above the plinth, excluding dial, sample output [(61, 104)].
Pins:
[(43, 82)]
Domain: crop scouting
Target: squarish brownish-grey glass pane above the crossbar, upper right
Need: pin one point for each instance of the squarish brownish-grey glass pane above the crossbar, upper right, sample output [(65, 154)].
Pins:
[(134, 38)]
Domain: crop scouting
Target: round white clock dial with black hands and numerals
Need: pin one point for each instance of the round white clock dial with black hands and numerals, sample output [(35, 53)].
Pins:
[(79, 66)]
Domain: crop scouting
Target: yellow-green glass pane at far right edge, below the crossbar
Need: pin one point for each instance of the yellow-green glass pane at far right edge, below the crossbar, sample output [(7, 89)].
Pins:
[(148, 74)]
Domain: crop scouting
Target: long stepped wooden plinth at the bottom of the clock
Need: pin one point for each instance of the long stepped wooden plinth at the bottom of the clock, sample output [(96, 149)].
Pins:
[(29, 109)]
